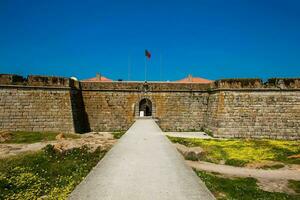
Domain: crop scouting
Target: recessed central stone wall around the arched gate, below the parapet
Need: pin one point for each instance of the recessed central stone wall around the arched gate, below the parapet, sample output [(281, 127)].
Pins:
[(117, 110)]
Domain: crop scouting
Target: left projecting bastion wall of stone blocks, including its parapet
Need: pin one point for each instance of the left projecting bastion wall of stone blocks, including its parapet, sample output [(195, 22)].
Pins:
[(26, 105)]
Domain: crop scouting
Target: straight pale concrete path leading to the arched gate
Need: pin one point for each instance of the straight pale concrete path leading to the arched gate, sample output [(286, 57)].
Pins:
[(143, 165)]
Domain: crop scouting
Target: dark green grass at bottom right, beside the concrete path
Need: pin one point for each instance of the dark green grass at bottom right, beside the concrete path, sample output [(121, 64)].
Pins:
[(239, 188)]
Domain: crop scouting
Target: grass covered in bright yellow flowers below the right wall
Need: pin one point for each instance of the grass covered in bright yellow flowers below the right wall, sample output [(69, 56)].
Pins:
[(238, 152)]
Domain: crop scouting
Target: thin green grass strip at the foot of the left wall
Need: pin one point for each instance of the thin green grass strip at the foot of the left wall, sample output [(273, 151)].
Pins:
[(32, 137)]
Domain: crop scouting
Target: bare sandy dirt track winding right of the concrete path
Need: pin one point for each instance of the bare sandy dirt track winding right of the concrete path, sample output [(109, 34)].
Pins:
[(271, 180)]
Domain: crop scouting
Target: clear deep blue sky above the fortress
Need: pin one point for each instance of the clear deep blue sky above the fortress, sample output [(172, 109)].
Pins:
[(208, 38)]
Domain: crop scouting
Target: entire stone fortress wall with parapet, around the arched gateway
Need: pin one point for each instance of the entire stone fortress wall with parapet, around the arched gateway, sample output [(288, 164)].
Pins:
[(229, 107)]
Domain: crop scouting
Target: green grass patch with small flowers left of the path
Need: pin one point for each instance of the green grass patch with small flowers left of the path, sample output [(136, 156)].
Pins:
[(46, 173)]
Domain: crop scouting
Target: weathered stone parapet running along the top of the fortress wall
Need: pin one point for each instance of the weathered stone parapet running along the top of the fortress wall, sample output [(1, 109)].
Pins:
[(242, 83)]
